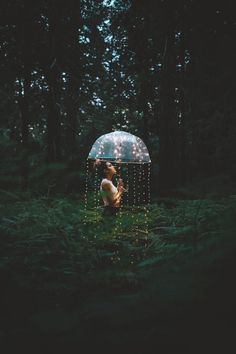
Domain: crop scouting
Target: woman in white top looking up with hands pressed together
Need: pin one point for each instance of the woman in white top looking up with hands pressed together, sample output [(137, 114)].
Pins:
[(111, 194)]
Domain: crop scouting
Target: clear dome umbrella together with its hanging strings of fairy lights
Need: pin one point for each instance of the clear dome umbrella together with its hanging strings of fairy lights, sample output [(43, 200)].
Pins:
[(133, 161)]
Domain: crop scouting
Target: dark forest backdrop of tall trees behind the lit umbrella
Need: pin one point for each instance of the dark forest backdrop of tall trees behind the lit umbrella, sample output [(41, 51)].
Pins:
[(74, 70)]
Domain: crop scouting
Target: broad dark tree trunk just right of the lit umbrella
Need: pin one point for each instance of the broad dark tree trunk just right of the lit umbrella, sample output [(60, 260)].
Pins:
[(167, 117)]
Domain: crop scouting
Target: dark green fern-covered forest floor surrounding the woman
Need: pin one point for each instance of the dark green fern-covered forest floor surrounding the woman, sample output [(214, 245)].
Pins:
[(152, 279)]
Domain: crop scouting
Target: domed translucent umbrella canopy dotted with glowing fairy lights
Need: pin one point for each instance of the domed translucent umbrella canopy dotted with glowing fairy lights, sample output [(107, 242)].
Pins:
[(120, 147)]
